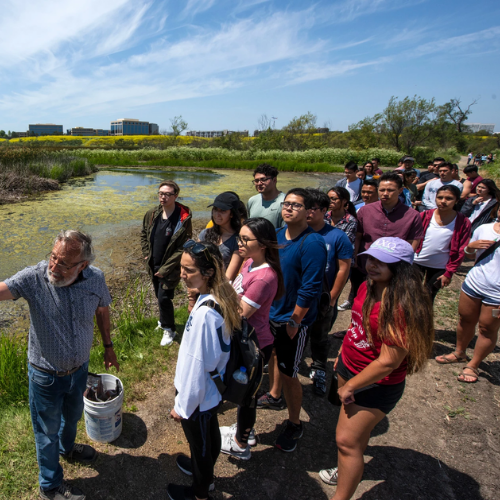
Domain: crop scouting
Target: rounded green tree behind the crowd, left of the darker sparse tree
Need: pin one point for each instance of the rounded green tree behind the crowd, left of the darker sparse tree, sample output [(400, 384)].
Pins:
[(408, 123)]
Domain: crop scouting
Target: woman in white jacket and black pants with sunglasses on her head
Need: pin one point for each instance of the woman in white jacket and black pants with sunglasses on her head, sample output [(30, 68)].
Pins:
[(205, 347)]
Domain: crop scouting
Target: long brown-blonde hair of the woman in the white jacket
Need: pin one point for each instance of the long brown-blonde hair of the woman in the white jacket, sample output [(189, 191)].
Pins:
[(218, 285)]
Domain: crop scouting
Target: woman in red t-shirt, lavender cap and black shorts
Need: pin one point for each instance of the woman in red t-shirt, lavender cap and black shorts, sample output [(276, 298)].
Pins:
[(390, 336)]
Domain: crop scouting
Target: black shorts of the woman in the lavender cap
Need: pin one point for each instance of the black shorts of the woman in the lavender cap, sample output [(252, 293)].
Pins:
[(381, 397)]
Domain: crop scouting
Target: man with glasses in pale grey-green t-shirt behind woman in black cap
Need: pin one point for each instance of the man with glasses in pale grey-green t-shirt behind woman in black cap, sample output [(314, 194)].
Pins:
[(267, 203)]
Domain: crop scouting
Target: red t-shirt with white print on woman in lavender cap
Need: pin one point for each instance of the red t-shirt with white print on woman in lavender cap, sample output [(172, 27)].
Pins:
[(357, 353)]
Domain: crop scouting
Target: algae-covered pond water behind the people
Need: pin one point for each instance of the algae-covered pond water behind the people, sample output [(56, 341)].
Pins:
[(108, 202)]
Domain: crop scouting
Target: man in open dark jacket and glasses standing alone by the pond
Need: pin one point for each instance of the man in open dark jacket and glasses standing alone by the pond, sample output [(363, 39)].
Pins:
[(165, 229)]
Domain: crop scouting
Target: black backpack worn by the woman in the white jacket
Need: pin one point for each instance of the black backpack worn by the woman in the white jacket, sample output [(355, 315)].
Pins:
[(245, 352)]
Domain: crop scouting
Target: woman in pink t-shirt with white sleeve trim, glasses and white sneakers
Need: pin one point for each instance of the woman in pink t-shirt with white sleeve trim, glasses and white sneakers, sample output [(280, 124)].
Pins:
[(258, 285)]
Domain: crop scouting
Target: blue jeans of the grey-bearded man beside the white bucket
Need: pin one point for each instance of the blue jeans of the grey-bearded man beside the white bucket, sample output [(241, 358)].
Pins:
[(56, 405)]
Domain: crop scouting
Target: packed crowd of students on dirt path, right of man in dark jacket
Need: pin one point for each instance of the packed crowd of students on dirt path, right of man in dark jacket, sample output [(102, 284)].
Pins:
[(289, 256)]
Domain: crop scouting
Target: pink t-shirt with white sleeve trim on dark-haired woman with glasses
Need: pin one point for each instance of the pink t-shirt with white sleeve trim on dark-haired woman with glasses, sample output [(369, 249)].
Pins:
[(257, 287)]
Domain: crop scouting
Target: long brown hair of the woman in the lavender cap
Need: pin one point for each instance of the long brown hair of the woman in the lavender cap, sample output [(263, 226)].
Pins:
[(406, 316)]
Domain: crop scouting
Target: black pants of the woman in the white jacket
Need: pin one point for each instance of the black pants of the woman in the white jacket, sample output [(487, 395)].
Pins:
[(203, 435)]
